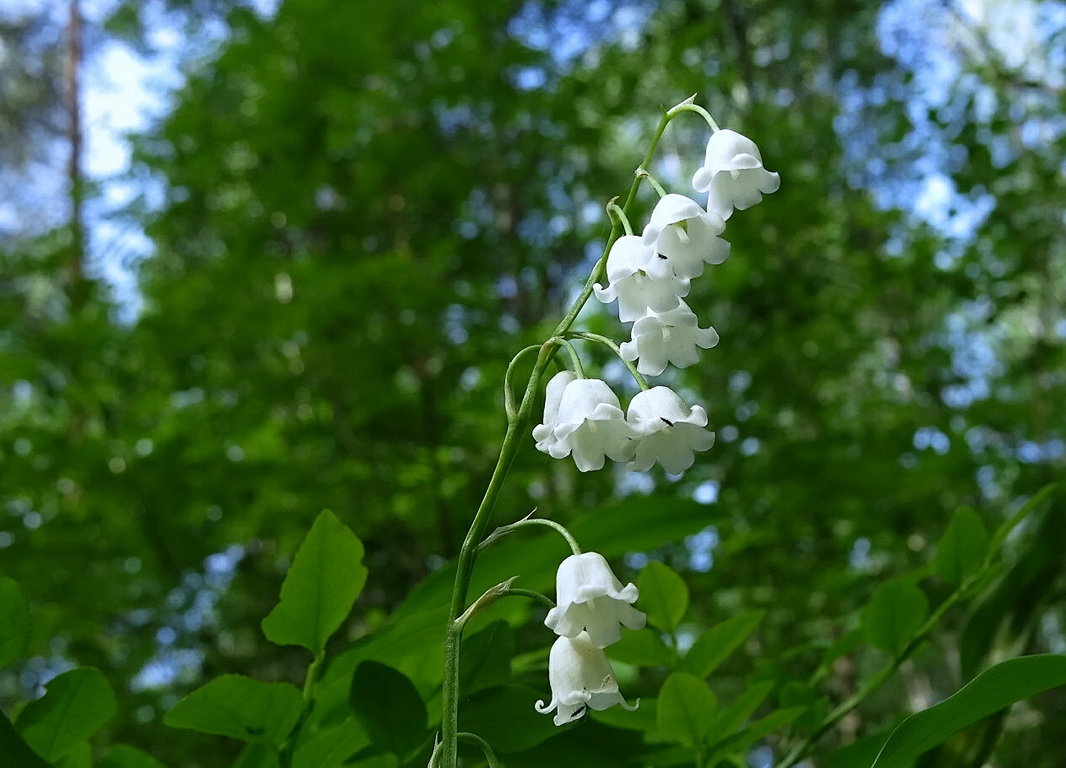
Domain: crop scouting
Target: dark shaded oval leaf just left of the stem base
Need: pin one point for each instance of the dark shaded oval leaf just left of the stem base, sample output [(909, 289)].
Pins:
[(390, 709)]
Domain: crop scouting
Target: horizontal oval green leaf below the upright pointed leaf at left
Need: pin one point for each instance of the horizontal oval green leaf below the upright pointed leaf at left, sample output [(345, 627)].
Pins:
[(240, 708)]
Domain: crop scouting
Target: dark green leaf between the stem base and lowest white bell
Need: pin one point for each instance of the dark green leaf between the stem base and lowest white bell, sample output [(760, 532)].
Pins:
[(506, 718)]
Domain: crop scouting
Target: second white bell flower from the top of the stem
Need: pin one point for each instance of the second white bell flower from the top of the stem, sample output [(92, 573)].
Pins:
[(685, 236)]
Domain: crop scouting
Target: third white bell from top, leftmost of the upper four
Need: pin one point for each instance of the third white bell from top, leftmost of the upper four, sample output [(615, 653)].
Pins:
[(640, 280)]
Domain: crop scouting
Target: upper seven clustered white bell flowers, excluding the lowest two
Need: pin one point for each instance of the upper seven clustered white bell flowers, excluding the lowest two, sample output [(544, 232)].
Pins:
[(650, 276)]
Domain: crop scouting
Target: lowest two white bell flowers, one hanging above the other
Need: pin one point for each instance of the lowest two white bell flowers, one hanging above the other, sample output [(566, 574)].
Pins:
[(593, 606)]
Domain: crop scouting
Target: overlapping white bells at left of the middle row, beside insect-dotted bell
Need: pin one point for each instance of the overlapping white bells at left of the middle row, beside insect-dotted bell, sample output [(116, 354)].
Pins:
[(590, 425)]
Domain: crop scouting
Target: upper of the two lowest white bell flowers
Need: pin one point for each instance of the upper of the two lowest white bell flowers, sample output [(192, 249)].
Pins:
[(591, 599)]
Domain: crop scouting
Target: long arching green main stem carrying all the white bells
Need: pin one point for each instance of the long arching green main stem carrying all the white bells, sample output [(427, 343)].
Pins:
[(516, 430)]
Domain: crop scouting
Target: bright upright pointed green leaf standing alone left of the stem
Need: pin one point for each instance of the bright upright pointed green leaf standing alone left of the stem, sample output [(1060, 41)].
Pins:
[(318, 594)]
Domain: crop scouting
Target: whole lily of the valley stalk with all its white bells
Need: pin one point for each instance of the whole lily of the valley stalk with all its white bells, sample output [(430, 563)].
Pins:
[(649, 276)]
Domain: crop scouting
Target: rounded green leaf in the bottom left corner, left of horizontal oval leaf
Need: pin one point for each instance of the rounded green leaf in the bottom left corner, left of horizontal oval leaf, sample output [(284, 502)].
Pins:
[(77, 703)]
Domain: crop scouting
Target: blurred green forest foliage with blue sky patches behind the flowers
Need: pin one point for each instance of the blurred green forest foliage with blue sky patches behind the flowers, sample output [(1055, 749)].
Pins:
[(358, 213)]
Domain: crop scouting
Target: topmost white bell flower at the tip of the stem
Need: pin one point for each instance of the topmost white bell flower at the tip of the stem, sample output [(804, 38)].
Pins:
[(733, 174)]
